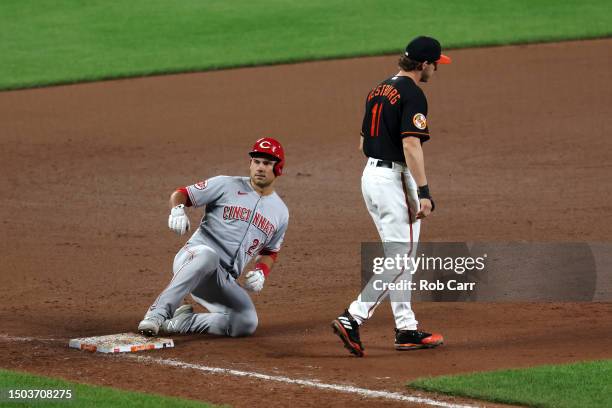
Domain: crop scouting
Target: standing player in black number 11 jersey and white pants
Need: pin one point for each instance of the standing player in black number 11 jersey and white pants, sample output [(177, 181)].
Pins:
[(394, 185)]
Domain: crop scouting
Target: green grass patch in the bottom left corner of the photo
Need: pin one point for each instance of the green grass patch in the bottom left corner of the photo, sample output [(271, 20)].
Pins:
[(84, 395)]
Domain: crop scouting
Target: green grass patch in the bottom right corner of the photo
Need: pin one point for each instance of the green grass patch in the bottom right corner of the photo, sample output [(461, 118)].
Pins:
[(587, 384)]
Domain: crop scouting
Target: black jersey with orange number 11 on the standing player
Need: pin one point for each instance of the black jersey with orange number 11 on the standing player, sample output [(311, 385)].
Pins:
[(395, 109)]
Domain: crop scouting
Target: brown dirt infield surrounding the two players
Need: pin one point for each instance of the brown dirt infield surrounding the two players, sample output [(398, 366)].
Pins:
[(520, 150)]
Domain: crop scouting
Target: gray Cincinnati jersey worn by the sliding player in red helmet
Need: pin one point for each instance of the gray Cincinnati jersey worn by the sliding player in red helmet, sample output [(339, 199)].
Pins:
[(238, 223)]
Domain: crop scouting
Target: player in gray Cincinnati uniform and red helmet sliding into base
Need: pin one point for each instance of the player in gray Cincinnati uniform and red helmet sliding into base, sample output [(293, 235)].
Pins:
[(244, 219)]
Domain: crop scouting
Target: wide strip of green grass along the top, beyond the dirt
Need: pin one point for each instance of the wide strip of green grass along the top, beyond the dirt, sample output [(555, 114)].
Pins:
[(45, 42)]
